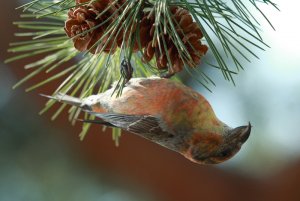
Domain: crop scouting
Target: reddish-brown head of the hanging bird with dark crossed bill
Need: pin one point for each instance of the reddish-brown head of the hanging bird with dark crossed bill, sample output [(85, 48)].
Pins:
[(216, 148)]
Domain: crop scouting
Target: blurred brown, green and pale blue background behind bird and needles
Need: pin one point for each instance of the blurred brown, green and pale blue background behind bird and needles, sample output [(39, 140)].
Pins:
[(44, 160)]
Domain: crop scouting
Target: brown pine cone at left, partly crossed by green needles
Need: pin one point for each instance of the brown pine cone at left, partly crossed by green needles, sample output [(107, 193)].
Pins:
[(83, 18)]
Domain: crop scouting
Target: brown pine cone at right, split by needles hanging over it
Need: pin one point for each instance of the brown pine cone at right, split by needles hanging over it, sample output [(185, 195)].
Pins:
[(189, 33)]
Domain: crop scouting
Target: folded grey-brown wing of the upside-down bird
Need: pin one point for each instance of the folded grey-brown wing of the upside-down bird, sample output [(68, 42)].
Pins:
[(139, 124)]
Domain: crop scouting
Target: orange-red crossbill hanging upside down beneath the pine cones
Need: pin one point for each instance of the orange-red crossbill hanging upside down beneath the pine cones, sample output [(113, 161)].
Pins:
[(168, 113)]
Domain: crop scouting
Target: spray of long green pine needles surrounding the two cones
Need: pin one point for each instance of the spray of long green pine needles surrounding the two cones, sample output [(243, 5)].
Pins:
[(231, 24)]
